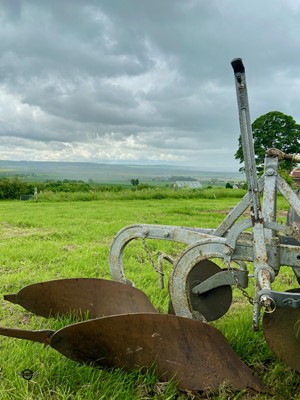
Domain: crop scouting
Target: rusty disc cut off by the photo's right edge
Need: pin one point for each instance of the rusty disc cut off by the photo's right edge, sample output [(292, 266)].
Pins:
[(282, 333)]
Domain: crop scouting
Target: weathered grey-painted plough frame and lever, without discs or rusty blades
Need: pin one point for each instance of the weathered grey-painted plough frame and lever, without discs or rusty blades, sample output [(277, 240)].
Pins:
[(268, 246)]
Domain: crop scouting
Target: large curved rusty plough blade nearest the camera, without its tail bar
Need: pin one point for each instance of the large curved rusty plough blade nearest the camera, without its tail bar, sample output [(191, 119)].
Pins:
[(195, 354)]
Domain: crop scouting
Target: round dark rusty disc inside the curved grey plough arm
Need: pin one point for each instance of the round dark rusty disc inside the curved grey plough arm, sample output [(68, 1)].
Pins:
[(213, 304)]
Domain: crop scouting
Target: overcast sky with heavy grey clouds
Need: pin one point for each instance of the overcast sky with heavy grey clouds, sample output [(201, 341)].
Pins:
[(141, 81)]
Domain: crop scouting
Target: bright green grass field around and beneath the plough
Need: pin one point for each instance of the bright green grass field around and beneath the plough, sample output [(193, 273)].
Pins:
[(49, 240)]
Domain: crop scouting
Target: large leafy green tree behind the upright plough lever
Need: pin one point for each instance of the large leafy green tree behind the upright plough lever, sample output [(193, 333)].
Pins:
[(273, 129)]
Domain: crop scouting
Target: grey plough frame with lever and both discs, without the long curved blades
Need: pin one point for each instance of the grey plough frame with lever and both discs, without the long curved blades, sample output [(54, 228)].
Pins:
[(199, 288)]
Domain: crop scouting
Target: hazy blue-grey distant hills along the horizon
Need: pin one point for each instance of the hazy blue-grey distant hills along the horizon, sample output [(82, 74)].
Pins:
[(107, 173)]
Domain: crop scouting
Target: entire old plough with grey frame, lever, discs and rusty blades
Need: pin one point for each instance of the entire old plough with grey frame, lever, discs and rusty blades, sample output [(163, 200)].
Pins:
[(125, 330)]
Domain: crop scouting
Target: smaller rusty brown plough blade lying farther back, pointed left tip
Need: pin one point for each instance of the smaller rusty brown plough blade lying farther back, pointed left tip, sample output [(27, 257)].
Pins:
[(95, 297)]
